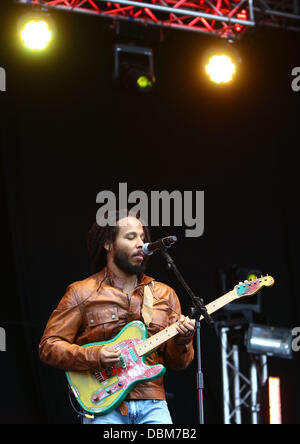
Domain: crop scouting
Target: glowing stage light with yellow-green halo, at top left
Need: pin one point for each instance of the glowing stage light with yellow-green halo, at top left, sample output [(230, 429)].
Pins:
[(36, 31)]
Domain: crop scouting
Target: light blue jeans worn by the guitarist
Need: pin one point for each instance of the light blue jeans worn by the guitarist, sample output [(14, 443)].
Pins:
[(139, 412)]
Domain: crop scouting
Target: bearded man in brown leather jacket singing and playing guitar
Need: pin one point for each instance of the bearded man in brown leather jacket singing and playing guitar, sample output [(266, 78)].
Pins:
[(97, 308)]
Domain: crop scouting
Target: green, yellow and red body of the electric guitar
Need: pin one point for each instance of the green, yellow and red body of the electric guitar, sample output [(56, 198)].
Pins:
[(101, 392)]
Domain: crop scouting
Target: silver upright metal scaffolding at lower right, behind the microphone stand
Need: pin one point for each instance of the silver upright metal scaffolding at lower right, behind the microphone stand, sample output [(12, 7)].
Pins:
[(241, 389)]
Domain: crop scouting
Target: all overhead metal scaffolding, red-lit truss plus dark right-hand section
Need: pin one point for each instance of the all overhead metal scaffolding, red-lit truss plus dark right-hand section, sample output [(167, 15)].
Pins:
[(228, 19)]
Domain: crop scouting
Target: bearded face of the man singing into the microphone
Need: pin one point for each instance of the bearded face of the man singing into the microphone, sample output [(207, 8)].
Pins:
[(127, 248)]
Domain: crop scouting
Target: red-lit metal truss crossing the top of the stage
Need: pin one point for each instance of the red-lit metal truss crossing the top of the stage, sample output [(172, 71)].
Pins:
[(223, 18)]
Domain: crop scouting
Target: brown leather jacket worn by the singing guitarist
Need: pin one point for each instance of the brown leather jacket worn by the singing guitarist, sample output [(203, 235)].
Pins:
[(94, 310)]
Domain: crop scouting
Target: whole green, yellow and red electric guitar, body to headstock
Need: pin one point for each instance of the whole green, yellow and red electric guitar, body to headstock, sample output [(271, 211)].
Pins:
[(99, 392)]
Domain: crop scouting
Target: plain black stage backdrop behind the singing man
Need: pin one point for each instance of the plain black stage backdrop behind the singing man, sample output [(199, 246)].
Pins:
[(67, 133)]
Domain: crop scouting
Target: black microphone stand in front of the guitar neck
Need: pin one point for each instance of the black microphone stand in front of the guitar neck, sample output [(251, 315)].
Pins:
[(195, 312)]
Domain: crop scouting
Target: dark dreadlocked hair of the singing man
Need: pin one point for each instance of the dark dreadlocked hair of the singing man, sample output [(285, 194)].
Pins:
[(99, 234)]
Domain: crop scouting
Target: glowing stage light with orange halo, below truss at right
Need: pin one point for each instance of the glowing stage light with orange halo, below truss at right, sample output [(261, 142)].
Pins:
[(220, 68)]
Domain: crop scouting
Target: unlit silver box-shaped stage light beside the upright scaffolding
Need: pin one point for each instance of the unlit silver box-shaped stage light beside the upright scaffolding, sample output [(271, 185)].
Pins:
[(271, 341)]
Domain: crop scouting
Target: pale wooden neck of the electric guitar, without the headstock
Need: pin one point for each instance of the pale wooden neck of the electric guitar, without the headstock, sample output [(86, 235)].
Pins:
[(151, 344)]
